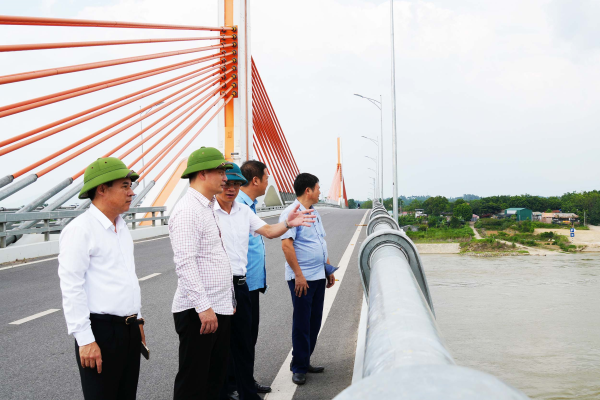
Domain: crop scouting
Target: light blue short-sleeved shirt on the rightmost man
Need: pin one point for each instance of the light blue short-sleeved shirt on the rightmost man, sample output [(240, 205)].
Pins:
[(309, 244)]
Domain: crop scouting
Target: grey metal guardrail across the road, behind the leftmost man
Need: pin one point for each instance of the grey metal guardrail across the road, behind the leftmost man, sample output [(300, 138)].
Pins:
[(51, 224)]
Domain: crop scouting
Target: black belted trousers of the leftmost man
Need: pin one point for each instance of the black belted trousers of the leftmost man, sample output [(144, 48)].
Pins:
[(120, 349)]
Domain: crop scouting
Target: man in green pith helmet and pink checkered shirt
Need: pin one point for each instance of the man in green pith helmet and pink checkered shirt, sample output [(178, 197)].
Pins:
[(204, 301)]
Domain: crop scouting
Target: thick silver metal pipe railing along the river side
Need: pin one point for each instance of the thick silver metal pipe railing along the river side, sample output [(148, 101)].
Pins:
[(405, 356)]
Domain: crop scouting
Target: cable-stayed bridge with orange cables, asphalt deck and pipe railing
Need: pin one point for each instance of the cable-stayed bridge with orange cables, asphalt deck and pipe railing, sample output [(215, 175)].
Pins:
[(218, 82)]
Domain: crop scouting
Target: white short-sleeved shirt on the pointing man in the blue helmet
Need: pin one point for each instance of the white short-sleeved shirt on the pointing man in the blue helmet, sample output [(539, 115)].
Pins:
[(235, 228)]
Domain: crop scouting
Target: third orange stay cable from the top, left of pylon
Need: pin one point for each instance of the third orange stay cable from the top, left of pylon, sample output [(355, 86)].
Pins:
[(24, 76)]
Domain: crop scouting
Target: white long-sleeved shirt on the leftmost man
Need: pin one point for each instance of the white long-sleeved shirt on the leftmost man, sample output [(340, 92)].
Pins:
[(97, 272)]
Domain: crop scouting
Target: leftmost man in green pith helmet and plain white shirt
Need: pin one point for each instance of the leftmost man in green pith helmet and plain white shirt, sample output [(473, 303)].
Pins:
[(100, 289)]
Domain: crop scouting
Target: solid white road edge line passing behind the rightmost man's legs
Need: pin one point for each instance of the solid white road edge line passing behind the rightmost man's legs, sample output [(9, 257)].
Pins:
[(283, 387)]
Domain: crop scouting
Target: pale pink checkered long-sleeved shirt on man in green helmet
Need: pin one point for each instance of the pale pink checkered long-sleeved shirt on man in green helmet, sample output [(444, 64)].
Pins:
[(204, 274)]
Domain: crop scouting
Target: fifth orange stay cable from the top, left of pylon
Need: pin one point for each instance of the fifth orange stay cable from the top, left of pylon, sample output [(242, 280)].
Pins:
[(92, 112)]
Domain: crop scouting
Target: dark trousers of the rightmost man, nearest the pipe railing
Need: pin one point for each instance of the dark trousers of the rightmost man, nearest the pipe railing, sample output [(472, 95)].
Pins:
[(308, 313)]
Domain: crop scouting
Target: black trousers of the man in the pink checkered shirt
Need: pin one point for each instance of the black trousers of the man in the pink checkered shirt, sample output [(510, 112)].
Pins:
[(202, 358)]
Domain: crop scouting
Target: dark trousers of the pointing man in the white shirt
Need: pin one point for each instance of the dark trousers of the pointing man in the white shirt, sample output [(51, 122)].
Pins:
[(241, 360)]
